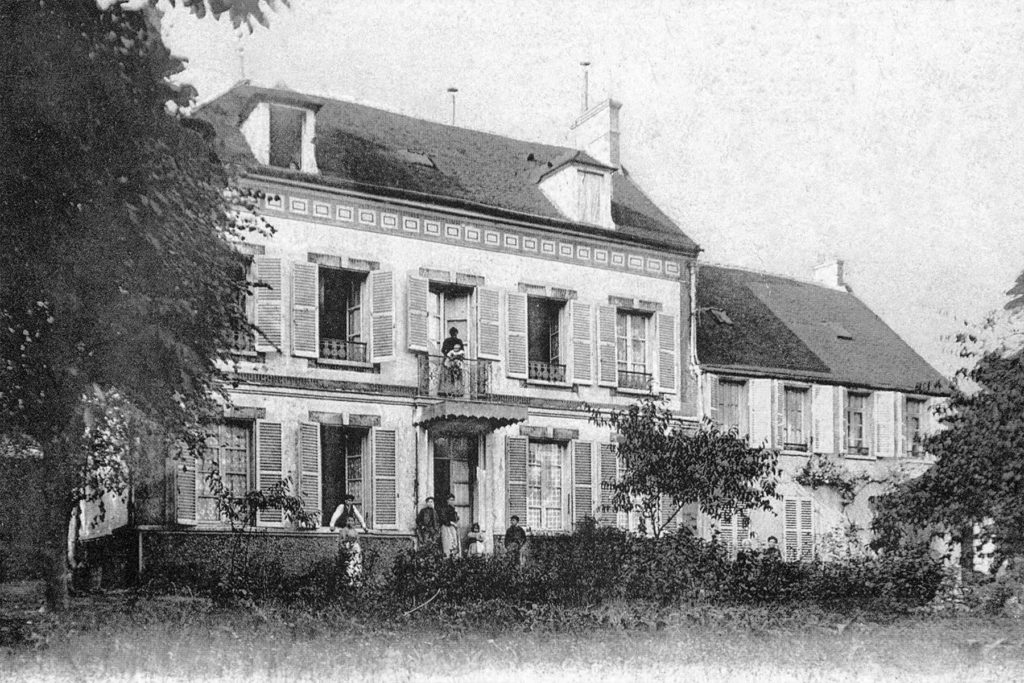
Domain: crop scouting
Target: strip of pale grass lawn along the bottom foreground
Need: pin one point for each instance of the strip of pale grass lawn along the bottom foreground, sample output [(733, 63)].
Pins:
[(119, 637)]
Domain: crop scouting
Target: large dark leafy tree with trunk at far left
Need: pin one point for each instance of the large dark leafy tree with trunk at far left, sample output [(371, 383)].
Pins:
[(116, 267)]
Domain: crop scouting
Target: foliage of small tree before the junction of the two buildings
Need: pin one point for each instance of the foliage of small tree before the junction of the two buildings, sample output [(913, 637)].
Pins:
[(667, 466)]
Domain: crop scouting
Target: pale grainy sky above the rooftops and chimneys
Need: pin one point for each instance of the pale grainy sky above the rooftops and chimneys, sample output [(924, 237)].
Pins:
[(778, 135)]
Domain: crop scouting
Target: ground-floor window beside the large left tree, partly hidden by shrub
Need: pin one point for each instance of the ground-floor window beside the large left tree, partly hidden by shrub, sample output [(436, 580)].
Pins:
[(229, 451)]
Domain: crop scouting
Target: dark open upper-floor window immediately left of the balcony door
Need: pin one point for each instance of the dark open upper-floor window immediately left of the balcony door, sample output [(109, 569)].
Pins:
[(343, 327)]
